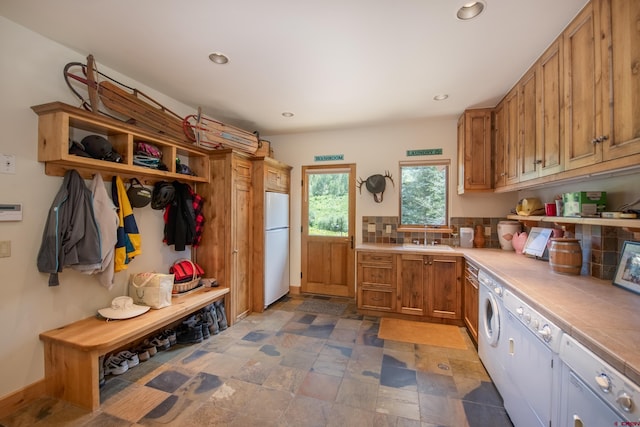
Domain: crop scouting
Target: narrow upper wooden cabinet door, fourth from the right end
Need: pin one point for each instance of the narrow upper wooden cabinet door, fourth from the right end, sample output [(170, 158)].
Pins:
[(527, 111)]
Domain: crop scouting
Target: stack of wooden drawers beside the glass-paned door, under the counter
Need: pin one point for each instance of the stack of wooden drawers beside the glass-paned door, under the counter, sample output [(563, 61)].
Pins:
[(376, 281)]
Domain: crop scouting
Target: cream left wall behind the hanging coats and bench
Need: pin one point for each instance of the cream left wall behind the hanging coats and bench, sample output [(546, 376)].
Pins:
[(31, 73)]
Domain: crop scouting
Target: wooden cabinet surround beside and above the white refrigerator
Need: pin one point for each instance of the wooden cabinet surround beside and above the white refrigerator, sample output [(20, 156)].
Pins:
[(268, 175)]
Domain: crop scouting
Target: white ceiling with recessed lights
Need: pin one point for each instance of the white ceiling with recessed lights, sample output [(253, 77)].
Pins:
[(333, 63)]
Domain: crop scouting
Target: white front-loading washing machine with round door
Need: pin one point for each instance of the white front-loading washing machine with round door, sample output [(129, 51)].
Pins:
[(492, 342)]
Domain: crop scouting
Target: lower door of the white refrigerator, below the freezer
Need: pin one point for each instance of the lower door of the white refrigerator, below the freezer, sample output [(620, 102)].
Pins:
[(276, 265)]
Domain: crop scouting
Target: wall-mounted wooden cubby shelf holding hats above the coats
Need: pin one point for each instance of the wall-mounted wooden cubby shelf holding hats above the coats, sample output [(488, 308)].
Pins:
[(59, 123)]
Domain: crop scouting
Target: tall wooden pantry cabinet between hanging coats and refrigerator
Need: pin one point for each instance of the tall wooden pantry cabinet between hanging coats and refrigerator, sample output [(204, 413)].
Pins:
[(225, 252)]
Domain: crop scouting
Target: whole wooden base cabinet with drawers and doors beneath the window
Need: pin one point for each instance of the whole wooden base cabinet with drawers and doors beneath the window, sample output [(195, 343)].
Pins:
[(411, 285)]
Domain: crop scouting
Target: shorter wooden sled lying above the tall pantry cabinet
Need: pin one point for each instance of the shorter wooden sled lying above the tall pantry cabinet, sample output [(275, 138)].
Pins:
[(211, 134)]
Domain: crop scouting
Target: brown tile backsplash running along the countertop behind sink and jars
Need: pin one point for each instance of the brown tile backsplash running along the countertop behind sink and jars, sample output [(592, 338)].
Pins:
[(601, 245)]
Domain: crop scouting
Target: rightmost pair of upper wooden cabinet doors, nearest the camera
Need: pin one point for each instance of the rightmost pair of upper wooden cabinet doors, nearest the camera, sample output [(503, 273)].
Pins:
[(602, 83)]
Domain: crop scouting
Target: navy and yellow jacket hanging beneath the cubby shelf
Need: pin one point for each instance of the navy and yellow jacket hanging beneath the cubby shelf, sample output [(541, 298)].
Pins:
[(128, 237)]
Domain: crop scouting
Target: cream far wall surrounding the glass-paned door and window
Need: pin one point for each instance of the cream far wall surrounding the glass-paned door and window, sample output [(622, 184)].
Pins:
[(376, 150)]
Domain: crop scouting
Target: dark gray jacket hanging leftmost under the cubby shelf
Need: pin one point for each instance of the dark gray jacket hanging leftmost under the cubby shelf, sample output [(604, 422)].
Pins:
[(71, 236)]
